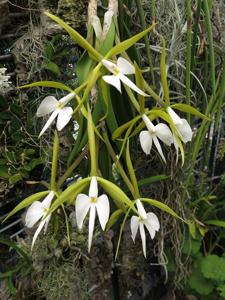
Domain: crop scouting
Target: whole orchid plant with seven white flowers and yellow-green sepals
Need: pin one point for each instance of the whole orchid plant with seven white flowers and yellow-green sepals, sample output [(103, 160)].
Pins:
[(102, 129)]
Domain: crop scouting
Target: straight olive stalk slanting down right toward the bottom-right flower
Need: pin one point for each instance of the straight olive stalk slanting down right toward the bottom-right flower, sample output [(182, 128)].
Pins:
[(117, 163)]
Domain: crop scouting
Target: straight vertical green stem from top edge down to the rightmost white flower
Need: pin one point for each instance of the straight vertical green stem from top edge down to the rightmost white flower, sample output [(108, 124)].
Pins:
[(188, 56)]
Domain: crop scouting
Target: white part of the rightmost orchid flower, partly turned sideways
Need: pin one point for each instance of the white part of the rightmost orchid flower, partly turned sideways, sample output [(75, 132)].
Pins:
[(182, 126)]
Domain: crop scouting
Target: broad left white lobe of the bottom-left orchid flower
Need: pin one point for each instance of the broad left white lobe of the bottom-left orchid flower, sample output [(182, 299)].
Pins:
[(34, 214)]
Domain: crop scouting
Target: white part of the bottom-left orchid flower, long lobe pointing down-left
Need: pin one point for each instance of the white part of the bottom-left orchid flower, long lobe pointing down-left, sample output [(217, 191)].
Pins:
[(38, 211)]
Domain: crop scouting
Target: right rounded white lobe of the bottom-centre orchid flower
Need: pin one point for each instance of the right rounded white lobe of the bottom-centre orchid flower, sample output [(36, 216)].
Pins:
[(102, 206)]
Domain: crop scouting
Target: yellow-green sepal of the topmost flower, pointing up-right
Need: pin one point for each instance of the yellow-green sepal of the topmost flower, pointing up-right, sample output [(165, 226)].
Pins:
[(123, 46)]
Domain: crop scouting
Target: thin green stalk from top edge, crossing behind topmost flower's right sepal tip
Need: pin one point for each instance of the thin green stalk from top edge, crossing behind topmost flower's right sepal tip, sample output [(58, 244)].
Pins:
[(147, 47)]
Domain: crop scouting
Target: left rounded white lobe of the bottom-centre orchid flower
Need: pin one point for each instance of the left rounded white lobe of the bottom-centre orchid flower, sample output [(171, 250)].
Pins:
[(82, 206)]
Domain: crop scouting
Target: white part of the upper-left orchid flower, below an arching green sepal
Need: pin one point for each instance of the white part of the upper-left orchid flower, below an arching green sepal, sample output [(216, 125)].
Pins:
[(57, 109)]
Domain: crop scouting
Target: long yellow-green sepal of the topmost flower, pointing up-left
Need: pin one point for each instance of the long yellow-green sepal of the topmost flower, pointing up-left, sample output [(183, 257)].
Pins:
[(76, 37)]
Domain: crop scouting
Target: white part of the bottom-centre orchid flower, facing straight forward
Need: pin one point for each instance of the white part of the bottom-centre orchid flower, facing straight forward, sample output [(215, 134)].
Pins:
[(92, 202)]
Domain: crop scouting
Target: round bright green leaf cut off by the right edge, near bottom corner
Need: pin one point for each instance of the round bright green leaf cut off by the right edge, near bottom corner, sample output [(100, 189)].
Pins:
[(213, 267)]
